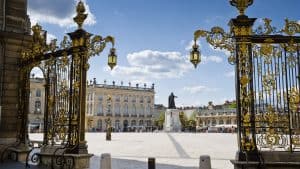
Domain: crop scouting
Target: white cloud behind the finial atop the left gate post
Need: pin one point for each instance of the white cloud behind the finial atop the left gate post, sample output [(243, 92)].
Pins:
[(59, 12)]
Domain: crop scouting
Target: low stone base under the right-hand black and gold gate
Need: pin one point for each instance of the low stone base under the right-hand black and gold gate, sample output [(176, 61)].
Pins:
[(271, 160)]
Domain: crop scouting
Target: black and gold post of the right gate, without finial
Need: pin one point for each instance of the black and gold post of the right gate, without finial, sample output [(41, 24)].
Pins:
[(241, 27)]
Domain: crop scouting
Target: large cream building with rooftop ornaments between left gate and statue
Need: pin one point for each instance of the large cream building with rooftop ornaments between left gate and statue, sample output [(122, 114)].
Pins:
[(130, 108)]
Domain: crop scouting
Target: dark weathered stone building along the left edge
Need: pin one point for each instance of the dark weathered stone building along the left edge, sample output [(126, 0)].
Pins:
[(14, 35)]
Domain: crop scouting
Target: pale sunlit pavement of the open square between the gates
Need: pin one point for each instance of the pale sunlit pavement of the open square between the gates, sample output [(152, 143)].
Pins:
[(171, 150)]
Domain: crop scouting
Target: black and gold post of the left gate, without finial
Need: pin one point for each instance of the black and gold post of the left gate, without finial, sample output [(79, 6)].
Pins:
[(79, 39)]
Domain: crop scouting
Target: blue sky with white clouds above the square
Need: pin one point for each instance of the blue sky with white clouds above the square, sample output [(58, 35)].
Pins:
[(153, 39)]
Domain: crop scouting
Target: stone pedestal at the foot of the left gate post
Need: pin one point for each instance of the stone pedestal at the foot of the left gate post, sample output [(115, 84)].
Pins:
[(53, 155)]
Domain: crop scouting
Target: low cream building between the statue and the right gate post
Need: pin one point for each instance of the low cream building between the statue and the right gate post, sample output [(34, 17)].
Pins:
[(216, 118)]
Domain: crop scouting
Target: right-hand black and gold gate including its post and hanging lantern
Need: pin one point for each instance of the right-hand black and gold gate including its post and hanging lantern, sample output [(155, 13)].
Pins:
[(267, 81)]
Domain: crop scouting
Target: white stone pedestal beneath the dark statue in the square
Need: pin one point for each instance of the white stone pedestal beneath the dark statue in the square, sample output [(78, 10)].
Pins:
[(172, 121)]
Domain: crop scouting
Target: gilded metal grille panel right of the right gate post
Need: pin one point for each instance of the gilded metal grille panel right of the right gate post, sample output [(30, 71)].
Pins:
[(276, 96)]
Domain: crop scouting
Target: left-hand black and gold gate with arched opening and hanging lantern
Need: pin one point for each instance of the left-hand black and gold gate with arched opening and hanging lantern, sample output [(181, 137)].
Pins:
[(64, 69)]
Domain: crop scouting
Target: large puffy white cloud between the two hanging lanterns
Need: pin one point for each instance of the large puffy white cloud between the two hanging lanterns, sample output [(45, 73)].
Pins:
[(148, 64)]
